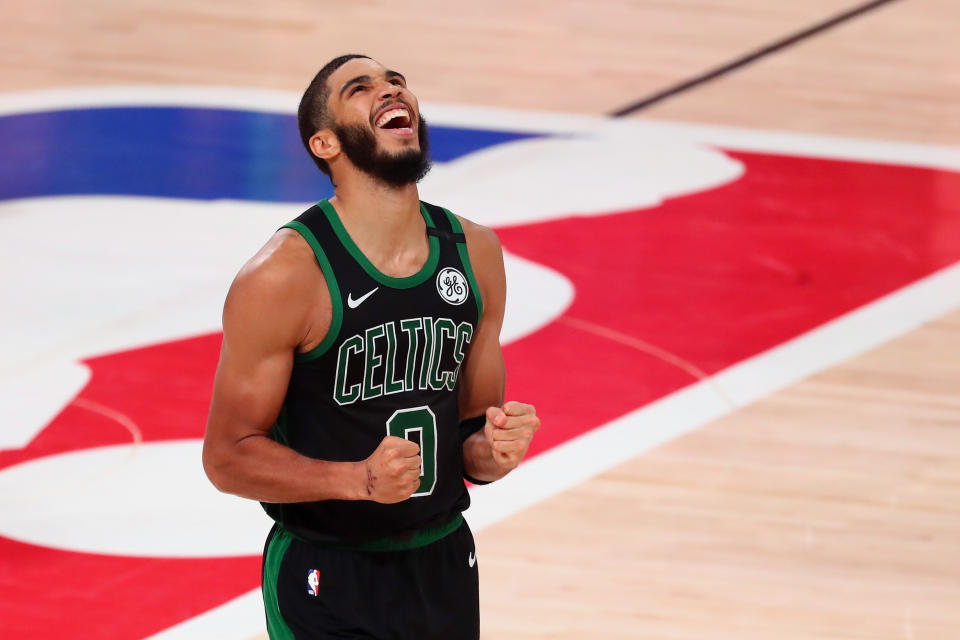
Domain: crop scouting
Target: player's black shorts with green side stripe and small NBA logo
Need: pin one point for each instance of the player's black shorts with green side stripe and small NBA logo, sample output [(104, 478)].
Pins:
[(429, 592)]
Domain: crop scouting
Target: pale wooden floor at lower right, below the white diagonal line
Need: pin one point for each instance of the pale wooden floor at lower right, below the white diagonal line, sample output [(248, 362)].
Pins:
[(828, 510)]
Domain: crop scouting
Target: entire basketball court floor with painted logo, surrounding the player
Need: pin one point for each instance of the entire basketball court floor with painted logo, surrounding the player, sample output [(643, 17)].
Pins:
[(732, 236)]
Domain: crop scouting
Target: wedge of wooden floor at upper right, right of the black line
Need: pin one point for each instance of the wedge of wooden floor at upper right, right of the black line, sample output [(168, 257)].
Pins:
[(890, 74)]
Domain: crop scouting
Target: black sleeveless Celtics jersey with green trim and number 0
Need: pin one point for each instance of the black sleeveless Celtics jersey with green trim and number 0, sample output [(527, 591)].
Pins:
[(389, 365)]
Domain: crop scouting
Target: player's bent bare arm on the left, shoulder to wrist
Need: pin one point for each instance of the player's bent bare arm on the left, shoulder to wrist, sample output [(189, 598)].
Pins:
[(265, 317)]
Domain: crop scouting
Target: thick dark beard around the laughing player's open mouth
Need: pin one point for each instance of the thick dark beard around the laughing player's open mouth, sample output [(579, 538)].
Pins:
[(393, 169)]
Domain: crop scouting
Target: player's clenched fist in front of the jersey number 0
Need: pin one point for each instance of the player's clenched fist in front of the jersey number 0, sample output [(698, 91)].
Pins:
[(393, 471)]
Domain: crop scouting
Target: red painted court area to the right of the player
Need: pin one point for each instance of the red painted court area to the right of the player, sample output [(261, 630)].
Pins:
[(722, 275)]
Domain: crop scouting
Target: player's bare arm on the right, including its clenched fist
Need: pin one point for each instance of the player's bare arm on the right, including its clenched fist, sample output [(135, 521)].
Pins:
[(491, 452)]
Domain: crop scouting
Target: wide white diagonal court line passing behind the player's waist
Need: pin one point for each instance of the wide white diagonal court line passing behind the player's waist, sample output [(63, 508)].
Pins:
[(567, 465)]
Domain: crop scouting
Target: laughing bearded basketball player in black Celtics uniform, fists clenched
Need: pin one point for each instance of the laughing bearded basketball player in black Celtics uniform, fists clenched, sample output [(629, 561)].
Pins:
[(361, 380)]
